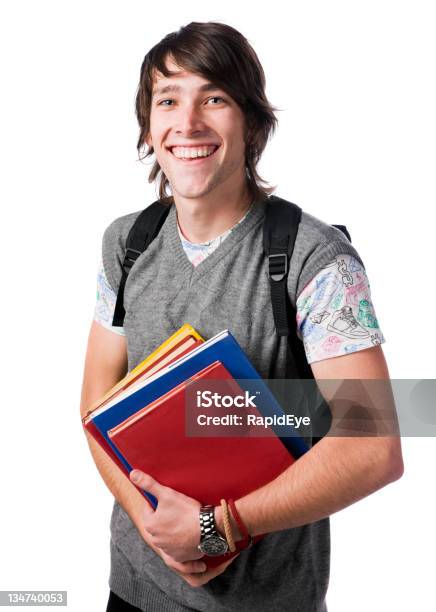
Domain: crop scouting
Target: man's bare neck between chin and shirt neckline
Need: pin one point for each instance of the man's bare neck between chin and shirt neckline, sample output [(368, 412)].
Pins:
[(203, 219)]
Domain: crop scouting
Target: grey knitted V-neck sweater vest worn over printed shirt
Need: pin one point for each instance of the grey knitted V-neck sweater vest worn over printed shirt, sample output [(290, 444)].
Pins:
[(286, 570)]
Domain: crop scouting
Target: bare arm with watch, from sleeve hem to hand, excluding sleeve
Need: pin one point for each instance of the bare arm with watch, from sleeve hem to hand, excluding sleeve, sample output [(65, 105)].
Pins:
[(335, 473)]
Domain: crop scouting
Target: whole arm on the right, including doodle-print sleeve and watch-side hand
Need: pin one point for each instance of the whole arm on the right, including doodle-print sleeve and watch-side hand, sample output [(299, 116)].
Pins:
[(339, 470)]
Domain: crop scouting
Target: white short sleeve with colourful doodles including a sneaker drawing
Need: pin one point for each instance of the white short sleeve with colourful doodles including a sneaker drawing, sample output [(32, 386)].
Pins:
[(335, 313)]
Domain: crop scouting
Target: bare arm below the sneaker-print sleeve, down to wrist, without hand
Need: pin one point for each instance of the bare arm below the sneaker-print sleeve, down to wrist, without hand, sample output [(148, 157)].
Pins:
[(337, 471)]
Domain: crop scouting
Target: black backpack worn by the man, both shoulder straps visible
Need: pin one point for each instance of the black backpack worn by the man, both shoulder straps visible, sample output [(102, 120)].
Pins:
[(280, 228)]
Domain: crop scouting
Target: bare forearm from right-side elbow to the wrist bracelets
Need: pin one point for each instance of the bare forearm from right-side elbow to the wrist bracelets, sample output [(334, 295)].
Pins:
[(335, 473)]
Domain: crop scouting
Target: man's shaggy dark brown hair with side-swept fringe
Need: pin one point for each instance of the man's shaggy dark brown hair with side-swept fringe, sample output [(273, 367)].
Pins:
[(220, 54)]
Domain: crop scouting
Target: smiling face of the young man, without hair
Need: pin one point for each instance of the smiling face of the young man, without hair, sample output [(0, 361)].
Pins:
[(197, 133)]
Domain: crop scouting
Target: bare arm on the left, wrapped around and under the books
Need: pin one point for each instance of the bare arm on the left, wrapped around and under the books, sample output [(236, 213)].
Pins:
[(105, 365)]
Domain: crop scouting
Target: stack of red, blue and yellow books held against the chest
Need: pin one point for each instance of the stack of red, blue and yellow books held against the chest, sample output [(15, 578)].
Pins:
[(146, 422)]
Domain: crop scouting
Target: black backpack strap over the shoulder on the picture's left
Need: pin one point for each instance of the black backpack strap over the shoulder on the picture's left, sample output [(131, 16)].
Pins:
[(142, 233)]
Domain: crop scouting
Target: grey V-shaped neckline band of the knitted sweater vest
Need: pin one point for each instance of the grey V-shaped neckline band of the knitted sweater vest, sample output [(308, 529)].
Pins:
[(190, 272)]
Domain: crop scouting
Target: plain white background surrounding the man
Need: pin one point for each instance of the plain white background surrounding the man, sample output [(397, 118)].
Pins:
[(355, 145)]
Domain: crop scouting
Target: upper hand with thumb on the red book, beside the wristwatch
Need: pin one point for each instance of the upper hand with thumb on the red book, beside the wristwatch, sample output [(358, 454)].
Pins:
[(174, 527)]
